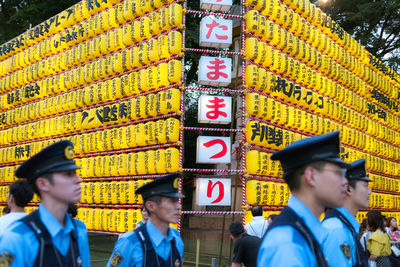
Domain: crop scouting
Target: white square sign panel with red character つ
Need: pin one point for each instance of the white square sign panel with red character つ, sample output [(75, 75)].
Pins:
[(213, 149)]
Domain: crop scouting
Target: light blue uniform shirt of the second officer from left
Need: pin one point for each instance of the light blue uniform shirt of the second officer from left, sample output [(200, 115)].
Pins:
[(130, 252)]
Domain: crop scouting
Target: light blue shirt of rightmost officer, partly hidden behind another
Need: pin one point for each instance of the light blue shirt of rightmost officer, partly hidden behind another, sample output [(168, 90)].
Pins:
[(337, 235)]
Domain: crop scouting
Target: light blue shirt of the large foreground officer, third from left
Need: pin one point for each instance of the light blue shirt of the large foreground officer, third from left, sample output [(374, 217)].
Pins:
[(285, 246)]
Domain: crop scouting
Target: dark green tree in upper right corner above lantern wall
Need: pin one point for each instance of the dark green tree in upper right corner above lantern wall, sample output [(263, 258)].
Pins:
[(374, 23)]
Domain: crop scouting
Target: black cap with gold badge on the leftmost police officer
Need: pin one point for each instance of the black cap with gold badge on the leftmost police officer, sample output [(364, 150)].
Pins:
[(54, 158)]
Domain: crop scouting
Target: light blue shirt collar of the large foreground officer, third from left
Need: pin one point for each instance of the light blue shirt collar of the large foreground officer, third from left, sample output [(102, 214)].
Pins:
[(312, 222)]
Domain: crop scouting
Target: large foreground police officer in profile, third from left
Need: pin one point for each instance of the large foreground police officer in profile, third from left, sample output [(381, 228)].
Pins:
[(316, 178)]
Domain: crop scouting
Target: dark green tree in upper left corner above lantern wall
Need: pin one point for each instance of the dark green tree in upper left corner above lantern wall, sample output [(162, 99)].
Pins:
[(16, 16)]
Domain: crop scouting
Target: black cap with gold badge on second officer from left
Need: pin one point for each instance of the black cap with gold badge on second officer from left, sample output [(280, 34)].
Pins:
[(166, 186)]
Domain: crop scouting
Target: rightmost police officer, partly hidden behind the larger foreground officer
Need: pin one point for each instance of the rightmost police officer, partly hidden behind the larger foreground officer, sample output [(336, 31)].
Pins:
[(342, 241)]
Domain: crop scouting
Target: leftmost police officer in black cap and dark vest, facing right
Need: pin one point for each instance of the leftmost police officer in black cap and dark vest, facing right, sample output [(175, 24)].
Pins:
[(49, 236)]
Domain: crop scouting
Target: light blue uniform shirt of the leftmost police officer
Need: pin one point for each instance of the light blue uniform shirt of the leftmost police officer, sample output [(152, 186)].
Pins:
[(21, 242)]
